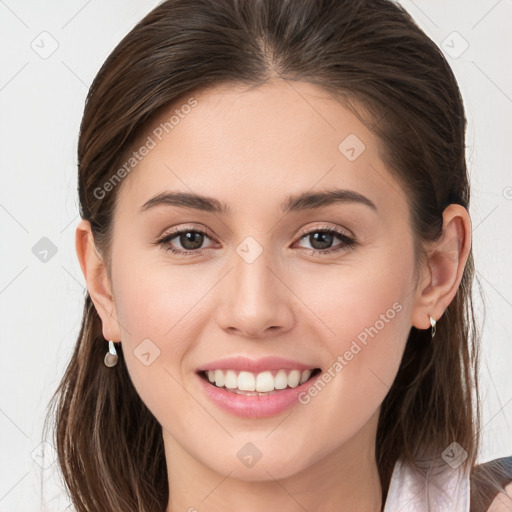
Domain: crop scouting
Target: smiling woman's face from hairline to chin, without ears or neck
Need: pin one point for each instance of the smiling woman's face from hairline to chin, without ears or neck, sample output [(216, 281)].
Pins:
[(325, 284)]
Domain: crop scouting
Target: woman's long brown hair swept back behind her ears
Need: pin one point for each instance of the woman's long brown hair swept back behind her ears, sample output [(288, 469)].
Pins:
[(367, 53)]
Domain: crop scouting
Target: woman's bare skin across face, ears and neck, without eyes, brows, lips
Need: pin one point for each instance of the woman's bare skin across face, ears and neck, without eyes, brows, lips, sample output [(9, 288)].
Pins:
[(251, 148)]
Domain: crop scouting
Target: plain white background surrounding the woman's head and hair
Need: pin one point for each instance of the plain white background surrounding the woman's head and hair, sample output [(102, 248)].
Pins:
[(41, 104)]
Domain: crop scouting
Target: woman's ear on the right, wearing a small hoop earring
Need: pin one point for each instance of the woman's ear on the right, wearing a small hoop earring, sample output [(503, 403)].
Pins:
[(441, 274)]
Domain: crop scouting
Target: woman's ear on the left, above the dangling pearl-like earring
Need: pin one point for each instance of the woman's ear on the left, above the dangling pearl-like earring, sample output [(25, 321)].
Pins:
[(96, 277)]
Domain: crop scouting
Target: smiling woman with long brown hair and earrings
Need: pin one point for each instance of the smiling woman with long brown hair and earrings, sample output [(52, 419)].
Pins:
[(277, 248)]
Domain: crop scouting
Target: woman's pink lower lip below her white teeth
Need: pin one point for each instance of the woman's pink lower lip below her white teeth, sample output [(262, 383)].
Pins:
[(255, 406)]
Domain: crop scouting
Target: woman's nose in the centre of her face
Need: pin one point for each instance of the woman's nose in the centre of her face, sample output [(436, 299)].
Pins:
[(254, 301)]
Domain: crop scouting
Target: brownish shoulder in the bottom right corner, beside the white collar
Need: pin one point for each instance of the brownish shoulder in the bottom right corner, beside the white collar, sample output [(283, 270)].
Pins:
[(491, 486)]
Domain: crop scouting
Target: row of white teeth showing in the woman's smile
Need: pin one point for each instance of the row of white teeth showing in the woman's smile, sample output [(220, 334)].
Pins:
[(264, 382)]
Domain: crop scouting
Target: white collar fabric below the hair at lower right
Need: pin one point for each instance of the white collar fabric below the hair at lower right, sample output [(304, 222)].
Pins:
[(428, 487)]
